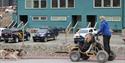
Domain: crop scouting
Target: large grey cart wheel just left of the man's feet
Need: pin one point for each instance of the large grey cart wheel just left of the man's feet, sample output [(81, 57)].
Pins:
[(102, 56)]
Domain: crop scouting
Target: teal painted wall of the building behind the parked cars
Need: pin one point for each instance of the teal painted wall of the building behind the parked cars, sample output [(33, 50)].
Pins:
[(82, 7)]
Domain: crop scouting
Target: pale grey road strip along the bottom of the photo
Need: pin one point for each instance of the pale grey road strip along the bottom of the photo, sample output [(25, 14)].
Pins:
[(53, 61)]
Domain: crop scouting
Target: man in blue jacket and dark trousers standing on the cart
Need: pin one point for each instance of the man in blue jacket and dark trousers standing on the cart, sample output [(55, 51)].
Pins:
[(105, 31)]
